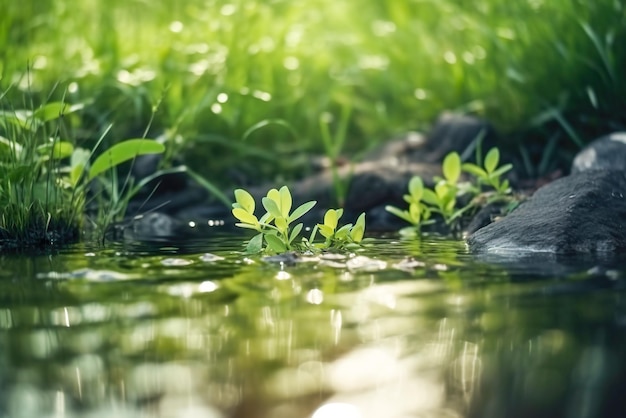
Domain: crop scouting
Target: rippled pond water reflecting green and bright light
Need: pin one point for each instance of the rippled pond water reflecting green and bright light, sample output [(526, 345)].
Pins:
[(402, 329)]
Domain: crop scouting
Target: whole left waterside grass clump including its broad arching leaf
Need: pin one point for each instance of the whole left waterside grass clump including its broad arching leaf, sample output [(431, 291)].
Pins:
[(47, 179)]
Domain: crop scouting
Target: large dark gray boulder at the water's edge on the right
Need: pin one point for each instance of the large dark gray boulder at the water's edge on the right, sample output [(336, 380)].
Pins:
[(581, 213)]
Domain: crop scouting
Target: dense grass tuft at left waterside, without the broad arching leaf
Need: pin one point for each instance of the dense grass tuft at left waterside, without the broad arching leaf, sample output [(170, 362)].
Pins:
[(37, 209)]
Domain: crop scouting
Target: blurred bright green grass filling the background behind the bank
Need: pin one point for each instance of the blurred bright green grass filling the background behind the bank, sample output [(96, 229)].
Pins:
[(209, 71)]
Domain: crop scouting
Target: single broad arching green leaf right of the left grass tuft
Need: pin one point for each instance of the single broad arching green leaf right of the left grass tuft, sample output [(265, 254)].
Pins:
[(122, 152)]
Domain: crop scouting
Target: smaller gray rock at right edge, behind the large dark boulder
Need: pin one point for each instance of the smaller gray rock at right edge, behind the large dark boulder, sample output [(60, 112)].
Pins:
[(605, 153)]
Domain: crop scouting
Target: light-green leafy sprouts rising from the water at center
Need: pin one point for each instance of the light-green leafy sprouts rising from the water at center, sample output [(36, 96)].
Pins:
[(276, 230)]
